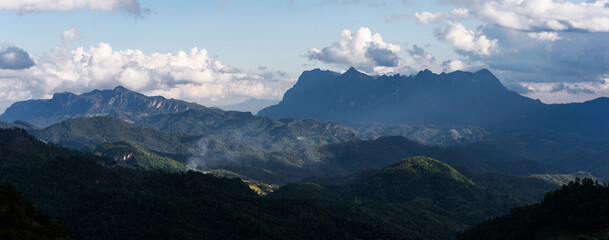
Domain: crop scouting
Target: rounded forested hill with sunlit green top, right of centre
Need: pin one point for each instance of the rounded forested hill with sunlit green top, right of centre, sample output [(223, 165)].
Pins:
[(419, 196)]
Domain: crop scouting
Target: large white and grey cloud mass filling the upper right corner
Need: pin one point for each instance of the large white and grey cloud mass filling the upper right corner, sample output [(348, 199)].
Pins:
[(542, 48)]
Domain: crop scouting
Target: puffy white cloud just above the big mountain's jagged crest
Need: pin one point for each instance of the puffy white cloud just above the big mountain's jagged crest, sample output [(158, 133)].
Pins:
[(360, 49)]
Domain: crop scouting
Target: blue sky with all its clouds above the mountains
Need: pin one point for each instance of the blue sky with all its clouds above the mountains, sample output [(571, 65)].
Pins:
[(220, 52)]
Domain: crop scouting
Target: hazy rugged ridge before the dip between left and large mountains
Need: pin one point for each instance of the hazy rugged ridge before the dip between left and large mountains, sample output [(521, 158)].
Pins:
[(263, 132)]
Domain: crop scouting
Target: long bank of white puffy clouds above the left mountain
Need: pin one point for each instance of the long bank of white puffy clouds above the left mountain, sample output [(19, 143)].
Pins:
[(192, 76)]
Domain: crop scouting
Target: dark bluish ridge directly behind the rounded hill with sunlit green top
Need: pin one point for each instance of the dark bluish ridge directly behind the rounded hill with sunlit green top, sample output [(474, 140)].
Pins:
[(358, 155)]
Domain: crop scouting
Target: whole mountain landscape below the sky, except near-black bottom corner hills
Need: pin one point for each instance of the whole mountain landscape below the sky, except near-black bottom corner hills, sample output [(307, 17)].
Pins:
[(491, 149)]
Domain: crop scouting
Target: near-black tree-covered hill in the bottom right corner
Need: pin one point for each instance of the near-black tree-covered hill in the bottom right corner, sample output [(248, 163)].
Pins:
[(579, 210)]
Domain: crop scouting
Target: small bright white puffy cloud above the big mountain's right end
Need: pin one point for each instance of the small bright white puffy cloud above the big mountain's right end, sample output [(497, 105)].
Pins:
[(465, 40)]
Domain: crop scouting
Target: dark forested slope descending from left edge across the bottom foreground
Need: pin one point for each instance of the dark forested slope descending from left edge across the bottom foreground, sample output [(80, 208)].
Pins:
[(111, 202)]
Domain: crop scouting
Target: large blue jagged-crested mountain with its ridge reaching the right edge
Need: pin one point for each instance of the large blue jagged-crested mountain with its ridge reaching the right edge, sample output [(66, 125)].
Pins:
[(457, 98)]
